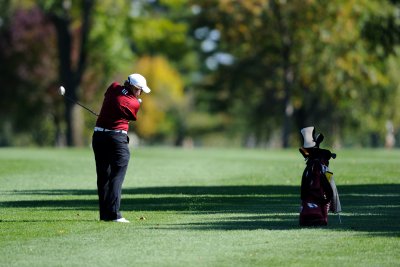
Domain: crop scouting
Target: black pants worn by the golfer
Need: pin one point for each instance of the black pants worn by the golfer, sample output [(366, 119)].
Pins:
[(112, 157)]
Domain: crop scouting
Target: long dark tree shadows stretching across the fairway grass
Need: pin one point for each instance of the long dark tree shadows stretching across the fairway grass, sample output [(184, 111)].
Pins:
[(372, 208)]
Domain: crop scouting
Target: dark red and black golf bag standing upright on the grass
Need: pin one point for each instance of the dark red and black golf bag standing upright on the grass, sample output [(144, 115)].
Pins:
[(318, 190)]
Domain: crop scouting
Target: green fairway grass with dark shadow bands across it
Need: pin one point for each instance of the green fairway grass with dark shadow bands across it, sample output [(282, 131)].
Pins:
[(202, 207)]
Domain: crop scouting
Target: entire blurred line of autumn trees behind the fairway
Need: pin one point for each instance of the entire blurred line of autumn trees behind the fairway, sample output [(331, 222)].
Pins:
[(249, 73)]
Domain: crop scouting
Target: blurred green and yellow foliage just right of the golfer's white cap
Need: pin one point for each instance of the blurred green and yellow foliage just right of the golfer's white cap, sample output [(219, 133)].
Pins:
[(158, 36)]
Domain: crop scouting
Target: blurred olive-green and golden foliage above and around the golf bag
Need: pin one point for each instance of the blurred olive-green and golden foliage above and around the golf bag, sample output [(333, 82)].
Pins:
[(308, 59)]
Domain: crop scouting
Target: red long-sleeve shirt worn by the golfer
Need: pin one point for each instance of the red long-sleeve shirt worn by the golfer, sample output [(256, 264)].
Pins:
[(119, 107)]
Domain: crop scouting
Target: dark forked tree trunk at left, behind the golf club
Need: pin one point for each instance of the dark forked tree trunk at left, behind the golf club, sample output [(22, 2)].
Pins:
[(71, 72)]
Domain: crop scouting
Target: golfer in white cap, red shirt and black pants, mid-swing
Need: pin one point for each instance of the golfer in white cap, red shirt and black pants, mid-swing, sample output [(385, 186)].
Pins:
[(110, 142)]
